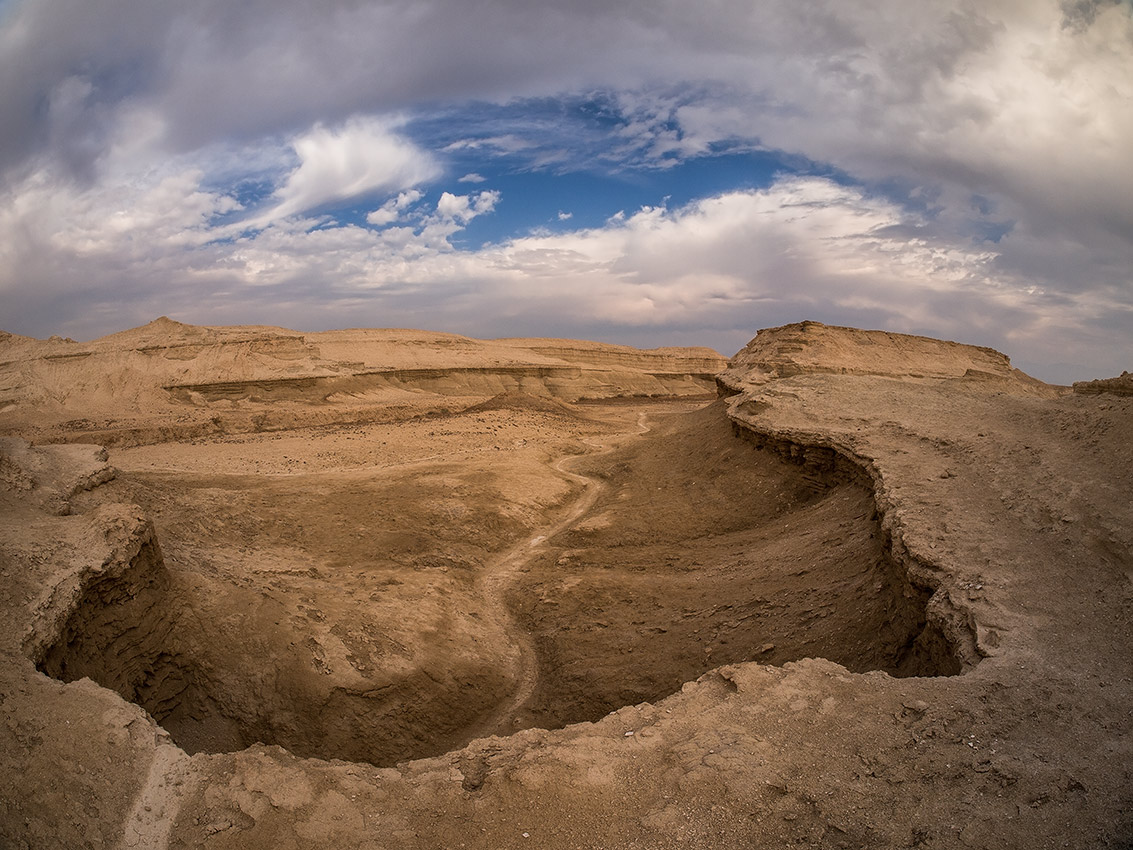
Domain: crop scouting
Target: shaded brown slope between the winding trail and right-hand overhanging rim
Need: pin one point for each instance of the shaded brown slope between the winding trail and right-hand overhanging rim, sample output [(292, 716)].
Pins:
[(704, 550)]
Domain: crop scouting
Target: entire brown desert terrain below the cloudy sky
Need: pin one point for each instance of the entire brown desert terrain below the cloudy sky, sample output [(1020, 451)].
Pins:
[(262, 589)]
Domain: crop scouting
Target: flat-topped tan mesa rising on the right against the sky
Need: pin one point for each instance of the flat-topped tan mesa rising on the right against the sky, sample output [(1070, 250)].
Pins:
[(812, 347)]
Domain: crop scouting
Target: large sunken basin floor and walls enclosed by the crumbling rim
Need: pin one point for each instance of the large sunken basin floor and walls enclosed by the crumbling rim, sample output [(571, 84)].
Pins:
[(388, 592)]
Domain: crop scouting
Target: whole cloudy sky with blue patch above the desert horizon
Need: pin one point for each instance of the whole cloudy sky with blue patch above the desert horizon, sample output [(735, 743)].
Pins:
[(649, 173)]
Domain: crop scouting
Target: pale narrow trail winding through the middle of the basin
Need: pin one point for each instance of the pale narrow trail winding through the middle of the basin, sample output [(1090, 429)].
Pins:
[(501, 575)]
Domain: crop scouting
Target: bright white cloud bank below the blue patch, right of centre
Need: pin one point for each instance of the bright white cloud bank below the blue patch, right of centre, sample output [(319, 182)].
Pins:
[(804, 240)]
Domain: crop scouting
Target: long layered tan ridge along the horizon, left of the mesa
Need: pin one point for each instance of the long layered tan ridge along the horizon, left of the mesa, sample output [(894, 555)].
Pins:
[(168, 381)]
